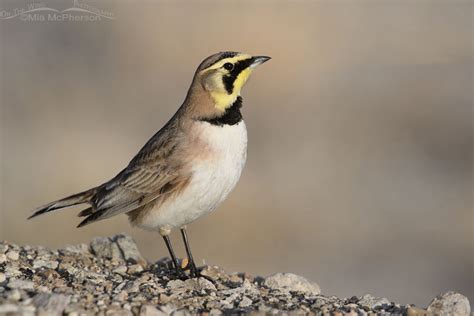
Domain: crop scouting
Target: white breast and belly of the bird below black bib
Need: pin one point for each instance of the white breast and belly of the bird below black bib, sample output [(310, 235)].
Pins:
[(212, 179)]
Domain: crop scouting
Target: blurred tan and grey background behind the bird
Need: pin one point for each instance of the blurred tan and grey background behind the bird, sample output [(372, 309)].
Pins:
[(359, 172)]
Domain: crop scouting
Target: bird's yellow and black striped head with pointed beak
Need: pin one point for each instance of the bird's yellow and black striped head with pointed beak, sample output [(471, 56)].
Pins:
[(224, 74)]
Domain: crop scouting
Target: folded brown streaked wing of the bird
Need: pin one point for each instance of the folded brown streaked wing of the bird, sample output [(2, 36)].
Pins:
[(154, 171)]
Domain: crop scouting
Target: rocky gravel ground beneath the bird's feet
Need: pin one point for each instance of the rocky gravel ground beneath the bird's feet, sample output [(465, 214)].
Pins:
[(110, 277)]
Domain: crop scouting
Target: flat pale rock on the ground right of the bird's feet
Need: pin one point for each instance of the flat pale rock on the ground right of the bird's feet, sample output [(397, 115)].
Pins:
[(291, 282)]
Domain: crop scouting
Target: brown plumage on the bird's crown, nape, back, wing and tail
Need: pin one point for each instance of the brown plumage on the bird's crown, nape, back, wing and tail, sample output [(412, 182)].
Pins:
[(157, 171)]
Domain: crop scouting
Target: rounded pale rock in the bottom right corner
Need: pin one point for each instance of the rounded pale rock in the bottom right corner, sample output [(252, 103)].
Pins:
[(450, 303)]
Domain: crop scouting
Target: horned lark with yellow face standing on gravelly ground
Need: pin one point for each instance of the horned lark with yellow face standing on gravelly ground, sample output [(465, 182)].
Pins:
[(188, 167)]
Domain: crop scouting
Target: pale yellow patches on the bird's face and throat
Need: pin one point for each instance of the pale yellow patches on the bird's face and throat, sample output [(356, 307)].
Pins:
[(215, 81)]
